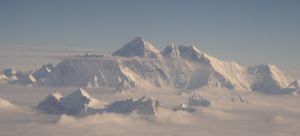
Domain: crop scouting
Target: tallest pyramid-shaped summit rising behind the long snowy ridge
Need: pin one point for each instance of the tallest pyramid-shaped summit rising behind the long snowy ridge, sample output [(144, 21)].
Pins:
[(138, 48)]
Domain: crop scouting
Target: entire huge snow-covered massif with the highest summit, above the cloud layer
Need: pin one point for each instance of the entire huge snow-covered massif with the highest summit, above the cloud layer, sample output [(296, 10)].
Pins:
[(139, 64)]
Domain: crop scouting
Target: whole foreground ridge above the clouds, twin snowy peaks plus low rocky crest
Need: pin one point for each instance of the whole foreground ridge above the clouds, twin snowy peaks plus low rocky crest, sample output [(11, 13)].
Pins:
[(80, 103)]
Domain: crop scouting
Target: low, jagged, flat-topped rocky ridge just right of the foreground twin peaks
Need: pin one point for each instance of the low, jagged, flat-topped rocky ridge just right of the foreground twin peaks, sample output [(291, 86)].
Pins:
[(144, 106)]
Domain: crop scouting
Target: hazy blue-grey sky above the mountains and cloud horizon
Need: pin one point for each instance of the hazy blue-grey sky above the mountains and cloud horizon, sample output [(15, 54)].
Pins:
[(247, 31)]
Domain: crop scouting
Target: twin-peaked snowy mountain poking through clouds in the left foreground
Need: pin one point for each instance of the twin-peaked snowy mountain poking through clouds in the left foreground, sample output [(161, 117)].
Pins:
[(77, 103)]
